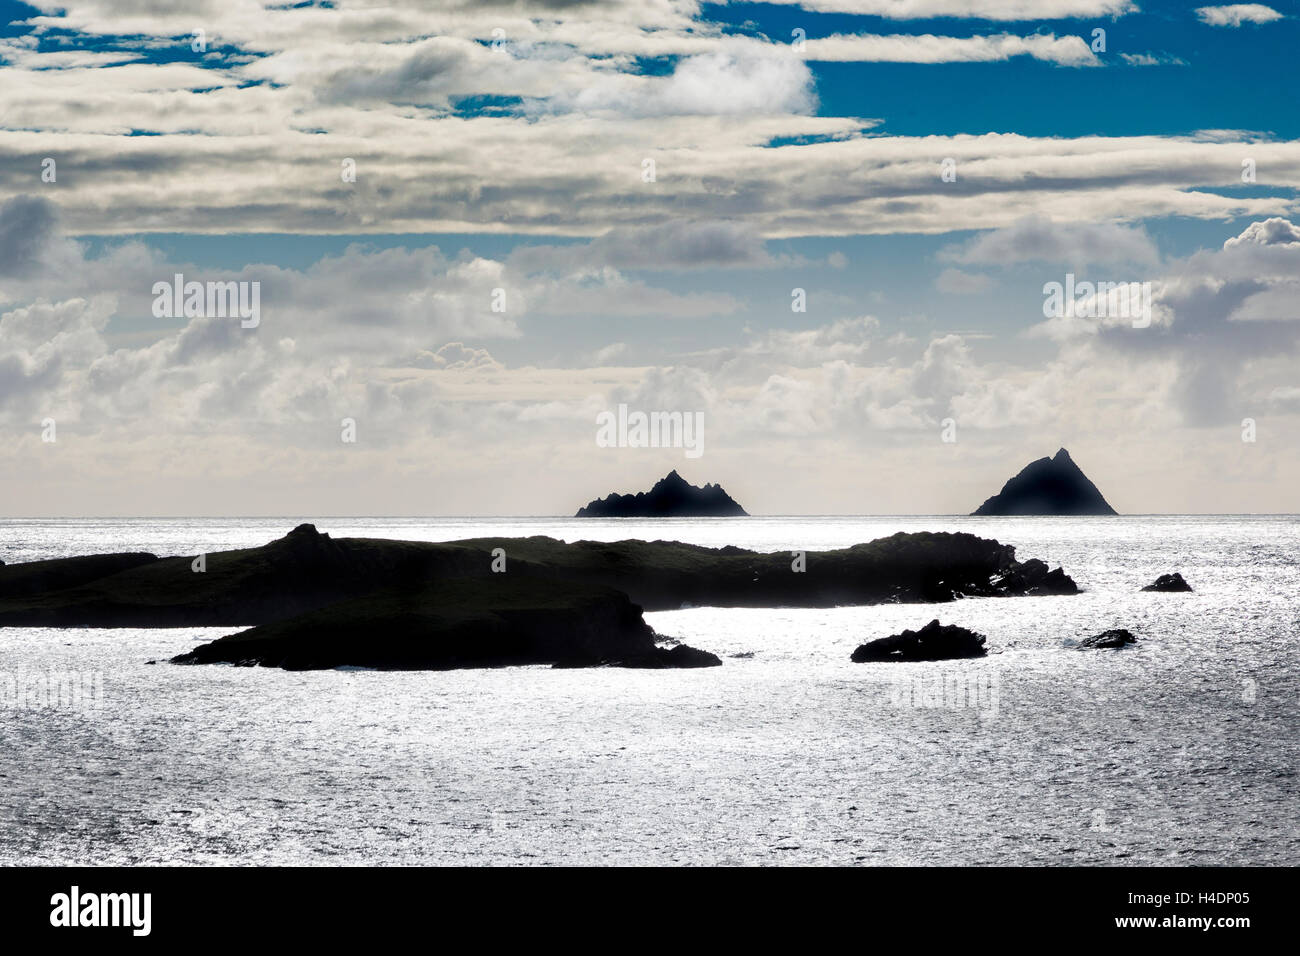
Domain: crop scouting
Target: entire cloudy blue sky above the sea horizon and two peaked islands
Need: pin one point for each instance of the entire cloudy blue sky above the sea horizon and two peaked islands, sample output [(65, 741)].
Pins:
[(829, 227)]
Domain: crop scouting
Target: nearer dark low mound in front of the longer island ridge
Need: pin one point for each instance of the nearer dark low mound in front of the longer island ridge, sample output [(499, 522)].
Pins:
[(463, 622)]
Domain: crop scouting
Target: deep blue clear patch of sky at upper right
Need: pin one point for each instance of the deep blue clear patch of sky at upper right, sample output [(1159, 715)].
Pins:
[(1217, 79)]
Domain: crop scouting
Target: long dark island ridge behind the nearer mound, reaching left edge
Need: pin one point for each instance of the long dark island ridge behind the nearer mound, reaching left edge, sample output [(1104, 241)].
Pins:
[(307, 570)]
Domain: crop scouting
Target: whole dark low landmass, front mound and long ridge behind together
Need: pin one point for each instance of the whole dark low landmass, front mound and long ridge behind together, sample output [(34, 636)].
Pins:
[(315, 602)]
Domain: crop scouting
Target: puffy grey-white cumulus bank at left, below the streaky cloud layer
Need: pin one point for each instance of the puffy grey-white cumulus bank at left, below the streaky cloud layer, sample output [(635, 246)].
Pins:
[(388, 336)]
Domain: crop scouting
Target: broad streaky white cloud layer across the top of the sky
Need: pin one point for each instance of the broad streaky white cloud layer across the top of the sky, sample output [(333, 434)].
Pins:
[(255, 145)]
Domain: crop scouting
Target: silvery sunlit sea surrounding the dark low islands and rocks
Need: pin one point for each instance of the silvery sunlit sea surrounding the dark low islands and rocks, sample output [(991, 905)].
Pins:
[(1178, 751)]
